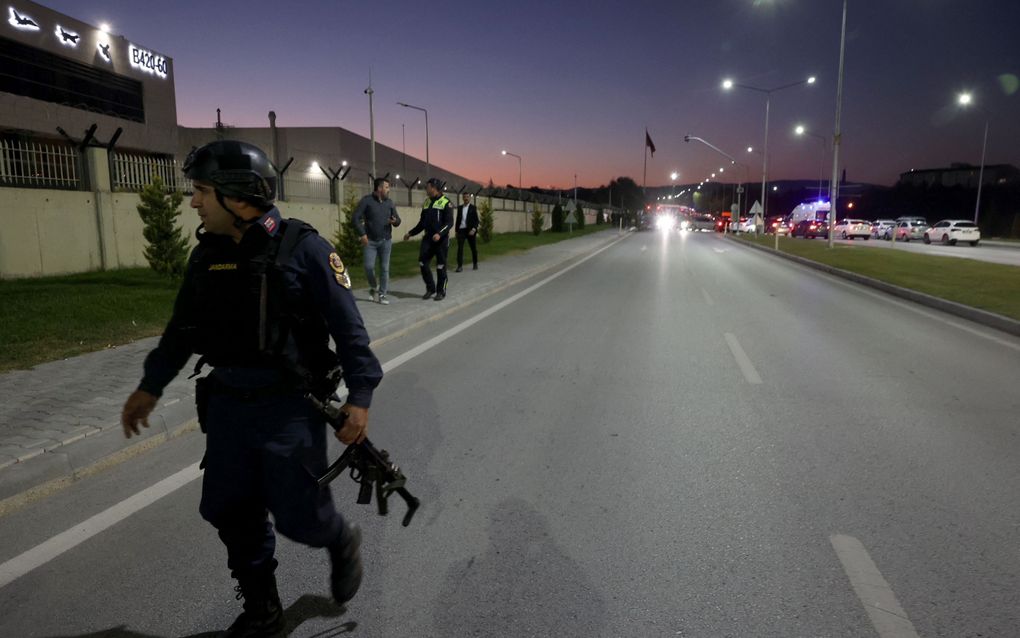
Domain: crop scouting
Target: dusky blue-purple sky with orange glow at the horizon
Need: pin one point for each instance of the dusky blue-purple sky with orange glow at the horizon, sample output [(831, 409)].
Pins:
[(571, 86)]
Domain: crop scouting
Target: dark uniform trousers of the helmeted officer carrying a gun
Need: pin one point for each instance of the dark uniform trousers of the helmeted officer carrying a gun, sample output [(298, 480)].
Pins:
[(264, 456)]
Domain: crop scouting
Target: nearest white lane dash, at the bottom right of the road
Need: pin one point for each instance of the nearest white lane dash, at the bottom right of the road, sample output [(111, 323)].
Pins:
[(877, 596)]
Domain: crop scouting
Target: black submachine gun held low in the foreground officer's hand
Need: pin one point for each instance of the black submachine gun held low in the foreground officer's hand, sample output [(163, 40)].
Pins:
[(370, 467)]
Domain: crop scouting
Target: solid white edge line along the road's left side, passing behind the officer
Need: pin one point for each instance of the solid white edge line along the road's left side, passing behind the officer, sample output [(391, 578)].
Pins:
[(50, 550)]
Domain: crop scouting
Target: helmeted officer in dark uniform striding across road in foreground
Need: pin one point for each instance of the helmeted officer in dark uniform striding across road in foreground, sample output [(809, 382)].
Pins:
[(260, 302)]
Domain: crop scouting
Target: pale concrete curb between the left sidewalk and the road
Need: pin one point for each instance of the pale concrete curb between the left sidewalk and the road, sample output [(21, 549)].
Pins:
[(63, 460)]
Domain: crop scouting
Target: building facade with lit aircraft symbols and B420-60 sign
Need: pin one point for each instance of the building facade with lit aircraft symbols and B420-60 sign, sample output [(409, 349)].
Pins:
[(60, 74)]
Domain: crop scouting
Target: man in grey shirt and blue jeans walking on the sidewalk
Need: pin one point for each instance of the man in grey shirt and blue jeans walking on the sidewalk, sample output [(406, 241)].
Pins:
[(374, 221)]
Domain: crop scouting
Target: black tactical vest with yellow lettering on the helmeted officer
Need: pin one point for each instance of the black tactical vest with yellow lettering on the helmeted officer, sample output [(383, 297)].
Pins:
[(245, 315)]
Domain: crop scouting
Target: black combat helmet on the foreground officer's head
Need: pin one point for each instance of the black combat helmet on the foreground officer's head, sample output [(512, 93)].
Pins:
[(236, 170)]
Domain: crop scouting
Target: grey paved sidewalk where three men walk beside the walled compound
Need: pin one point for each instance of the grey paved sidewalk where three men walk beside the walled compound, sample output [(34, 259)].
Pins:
[(61, 421)]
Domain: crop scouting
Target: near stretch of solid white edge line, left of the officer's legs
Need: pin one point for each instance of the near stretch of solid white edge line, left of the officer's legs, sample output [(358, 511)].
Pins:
[(47, 551)]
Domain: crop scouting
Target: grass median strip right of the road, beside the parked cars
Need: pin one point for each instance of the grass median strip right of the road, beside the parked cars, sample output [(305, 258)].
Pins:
[(992, 287)]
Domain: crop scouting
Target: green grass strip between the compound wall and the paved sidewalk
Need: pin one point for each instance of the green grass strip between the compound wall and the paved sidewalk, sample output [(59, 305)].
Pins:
[(55, 318)]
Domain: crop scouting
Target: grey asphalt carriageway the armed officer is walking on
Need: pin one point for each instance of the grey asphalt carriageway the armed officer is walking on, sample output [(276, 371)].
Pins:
[(677, 437)]
